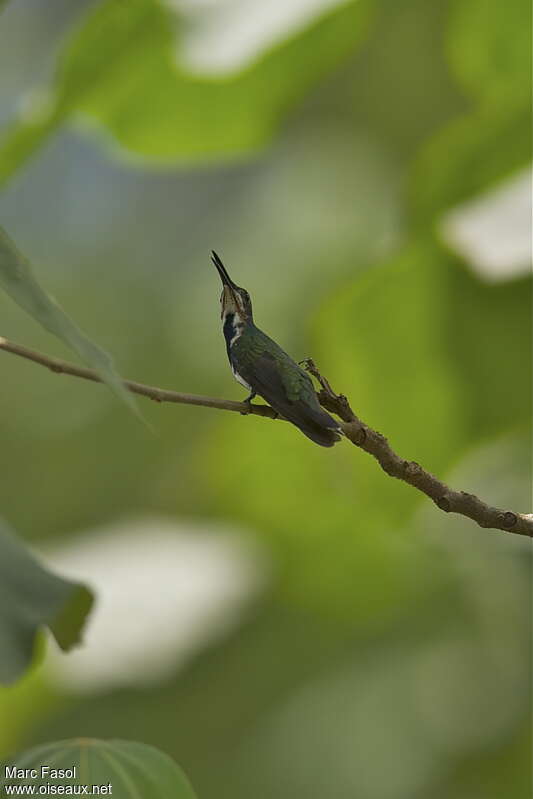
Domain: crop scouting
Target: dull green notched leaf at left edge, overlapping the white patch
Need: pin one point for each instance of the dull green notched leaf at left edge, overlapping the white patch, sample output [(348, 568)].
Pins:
[(32, 598)]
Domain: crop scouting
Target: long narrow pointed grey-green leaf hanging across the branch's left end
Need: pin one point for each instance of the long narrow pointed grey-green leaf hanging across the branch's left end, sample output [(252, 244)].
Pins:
[(18, 281)]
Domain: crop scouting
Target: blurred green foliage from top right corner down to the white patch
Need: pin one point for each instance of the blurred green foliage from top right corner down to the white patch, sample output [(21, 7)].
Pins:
[(488, 46)]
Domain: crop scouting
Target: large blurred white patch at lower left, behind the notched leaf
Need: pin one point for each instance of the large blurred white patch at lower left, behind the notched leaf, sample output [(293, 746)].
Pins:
[(163, 592)]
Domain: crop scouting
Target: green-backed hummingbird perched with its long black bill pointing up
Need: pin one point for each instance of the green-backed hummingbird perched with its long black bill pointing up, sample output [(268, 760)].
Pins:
[(262, 367)]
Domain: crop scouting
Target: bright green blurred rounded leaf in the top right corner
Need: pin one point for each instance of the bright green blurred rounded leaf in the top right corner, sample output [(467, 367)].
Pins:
[(489, 46)]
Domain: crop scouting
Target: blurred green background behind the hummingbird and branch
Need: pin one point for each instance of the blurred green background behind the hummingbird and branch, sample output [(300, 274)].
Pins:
[(389, 657)]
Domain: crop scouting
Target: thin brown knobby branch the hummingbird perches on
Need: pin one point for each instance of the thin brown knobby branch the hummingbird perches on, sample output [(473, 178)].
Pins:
[(353, 428)]
